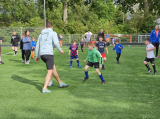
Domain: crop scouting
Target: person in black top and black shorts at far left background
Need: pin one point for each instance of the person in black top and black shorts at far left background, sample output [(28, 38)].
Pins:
[(14, 42)]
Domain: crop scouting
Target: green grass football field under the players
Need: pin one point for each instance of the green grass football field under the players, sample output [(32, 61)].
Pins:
[(129, 93)]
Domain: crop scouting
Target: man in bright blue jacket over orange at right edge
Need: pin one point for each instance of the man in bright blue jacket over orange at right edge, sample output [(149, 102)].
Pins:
[(154, 39)]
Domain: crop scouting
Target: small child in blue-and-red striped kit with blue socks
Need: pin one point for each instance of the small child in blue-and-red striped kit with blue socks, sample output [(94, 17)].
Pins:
[(73, 50)]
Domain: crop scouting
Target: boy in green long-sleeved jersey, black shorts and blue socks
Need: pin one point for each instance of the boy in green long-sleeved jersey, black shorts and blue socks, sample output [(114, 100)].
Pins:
[(93, 60)]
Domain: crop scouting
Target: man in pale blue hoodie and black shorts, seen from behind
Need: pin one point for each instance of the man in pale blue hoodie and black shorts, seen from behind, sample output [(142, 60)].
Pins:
[(45, 43)]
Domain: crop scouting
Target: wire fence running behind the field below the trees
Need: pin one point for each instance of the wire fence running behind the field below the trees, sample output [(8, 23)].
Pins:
[(7, 32)]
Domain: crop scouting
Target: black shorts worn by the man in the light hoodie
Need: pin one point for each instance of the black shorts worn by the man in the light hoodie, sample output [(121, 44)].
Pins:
[(49, 60)]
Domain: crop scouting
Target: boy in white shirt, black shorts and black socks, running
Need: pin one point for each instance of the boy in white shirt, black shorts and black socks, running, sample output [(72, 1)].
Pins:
[(150, 56)]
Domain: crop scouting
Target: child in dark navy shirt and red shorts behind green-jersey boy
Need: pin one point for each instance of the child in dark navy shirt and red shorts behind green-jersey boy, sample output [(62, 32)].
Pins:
[(101, 45)]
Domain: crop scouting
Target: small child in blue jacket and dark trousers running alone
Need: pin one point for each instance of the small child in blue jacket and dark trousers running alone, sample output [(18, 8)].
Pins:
[(118, 48)]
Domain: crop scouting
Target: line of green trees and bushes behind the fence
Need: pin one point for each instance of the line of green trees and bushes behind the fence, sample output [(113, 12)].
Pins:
[(79, 16)]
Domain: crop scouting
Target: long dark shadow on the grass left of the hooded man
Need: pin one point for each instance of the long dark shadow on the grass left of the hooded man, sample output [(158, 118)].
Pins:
[(27, 81)]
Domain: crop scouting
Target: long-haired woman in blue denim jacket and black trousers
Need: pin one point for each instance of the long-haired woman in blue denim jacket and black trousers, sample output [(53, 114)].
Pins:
[(27, 45)]
